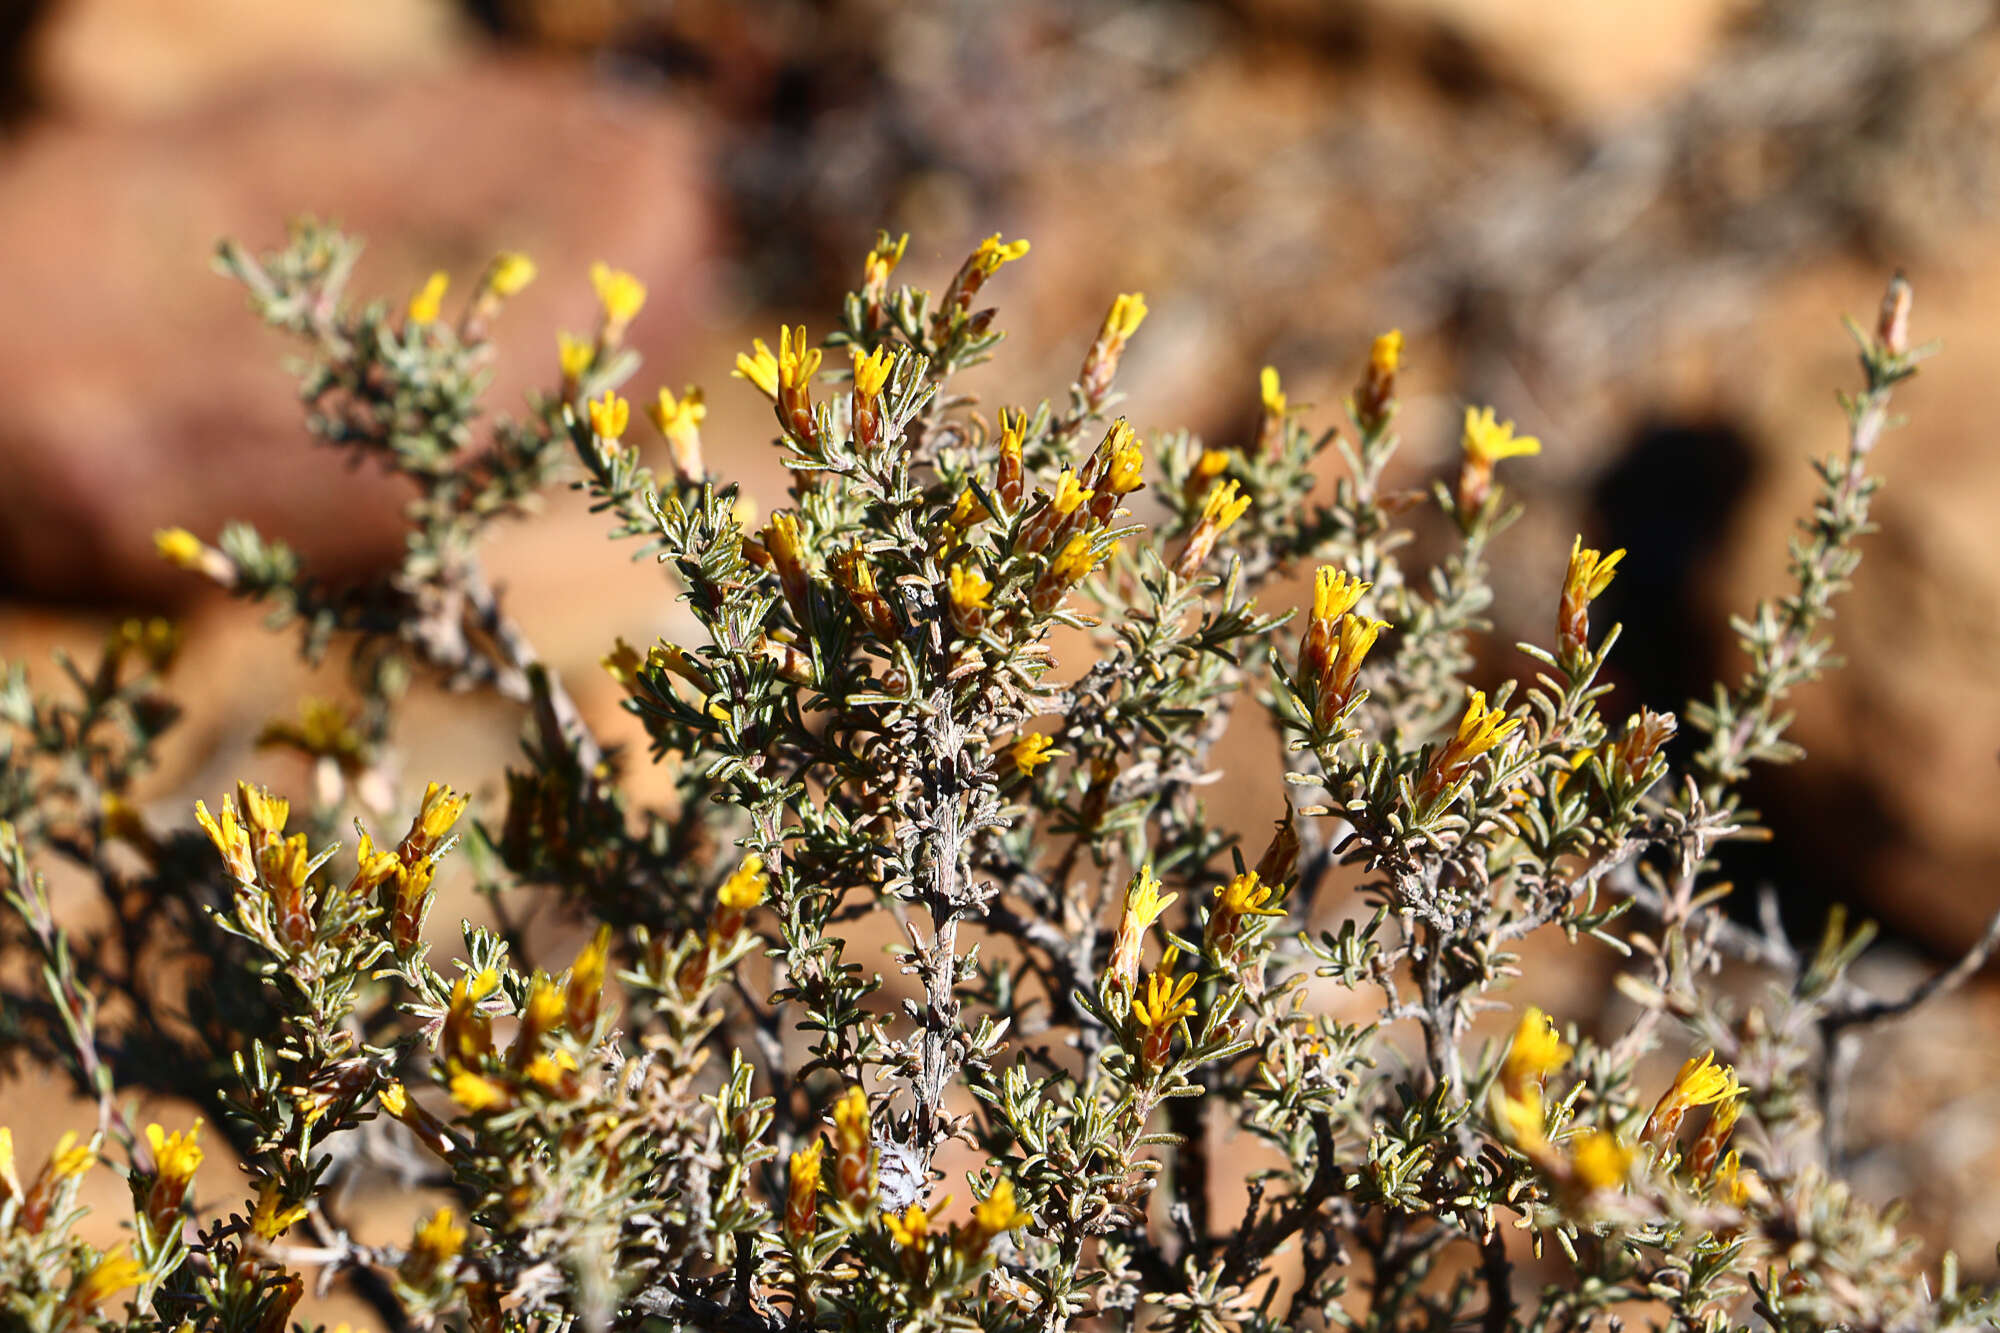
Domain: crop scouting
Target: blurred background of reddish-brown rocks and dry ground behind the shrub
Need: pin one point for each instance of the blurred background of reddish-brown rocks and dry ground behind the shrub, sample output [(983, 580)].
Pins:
[(1631, 227)]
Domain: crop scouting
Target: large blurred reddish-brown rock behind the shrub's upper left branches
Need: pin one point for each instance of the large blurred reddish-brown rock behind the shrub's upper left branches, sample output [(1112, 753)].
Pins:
[(143, 393)]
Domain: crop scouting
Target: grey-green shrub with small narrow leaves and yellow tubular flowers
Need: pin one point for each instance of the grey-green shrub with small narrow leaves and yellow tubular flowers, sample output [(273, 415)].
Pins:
[(963, 692)]
